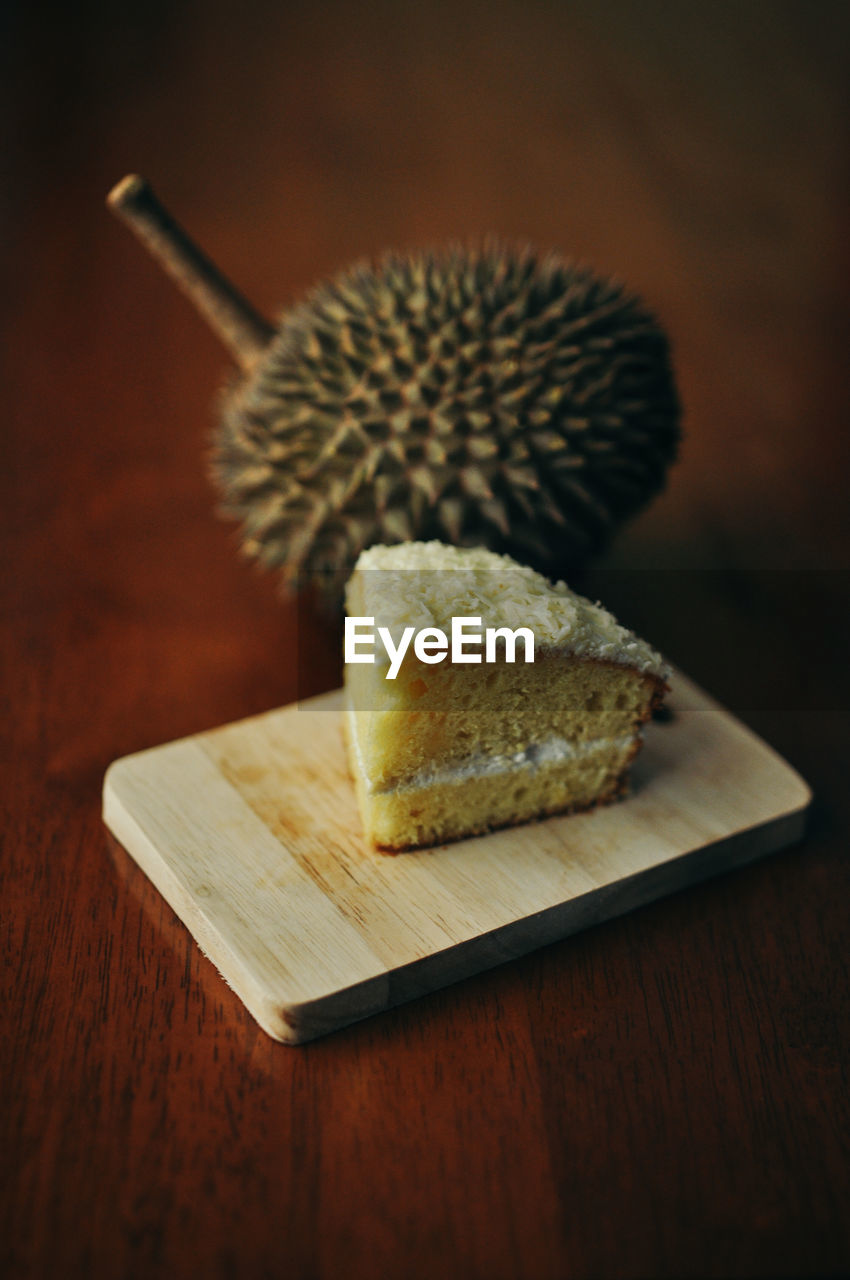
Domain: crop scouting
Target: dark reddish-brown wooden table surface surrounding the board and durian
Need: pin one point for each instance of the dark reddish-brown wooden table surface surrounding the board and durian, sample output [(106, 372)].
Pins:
[(664, 1096)]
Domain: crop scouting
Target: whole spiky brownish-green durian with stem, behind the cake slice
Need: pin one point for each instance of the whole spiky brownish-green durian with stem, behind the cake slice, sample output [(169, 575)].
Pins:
[(482, 396)]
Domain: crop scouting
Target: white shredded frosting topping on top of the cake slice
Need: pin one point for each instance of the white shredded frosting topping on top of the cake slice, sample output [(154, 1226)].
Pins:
[(427, 584)]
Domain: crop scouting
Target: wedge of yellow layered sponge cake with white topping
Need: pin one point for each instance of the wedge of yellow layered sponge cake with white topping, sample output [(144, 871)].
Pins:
[(454, 739)]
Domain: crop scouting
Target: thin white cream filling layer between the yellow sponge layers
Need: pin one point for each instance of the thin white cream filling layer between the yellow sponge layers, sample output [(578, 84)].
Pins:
[(537, 756)]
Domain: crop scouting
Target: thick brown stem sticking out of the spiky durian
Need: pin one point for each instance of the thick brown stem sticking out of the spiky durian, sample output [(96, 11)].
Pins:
[(243, 330)]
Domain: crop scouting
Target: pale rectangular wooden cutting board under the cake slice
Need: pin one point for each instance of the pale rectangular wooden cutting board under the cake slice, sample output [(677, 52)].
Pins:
[(252, 834)]
